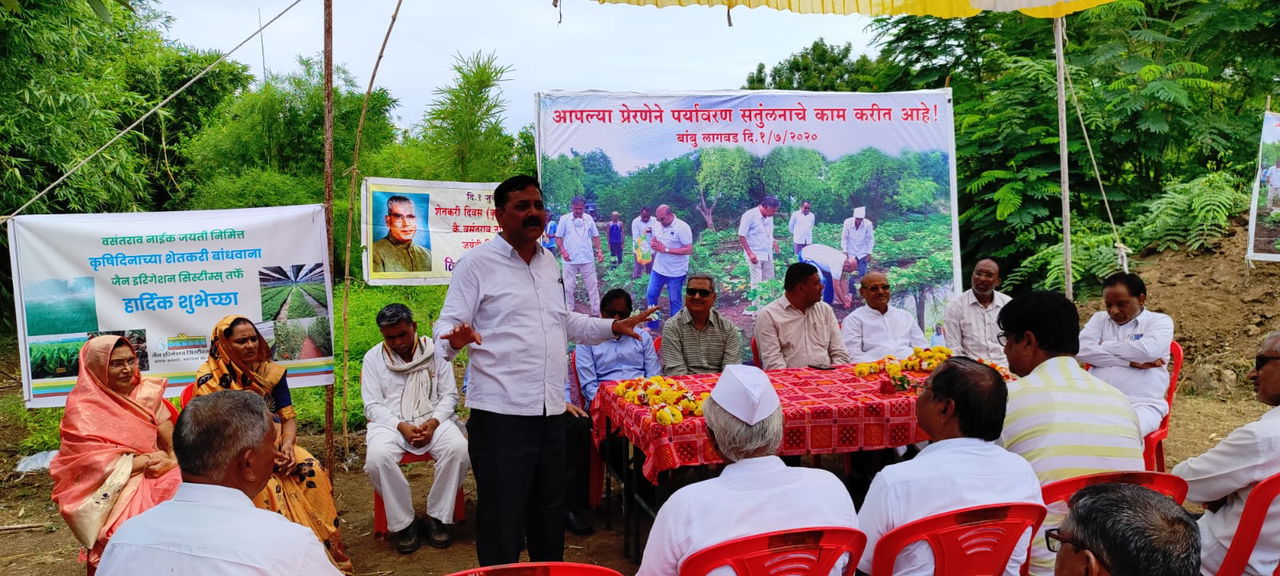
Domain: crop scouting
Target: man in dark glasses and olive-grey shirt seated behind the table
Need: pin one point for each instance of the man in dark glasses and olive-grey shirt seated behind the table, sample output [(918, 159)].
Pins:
[(700, 340)]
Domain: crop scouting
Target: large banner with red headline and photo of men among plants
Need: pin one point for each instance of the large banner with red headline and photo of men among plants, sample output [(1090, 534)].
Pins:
[(753, 181)]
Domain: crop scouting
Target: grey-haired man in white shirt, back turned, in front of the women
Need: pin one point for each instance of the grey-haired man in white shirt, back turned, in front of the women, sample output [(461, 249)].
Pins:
[(226, 447)]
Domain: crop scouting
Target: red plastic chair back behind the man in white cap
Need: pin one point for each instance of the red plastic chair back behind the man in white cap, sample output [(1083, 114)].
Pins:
[(802, 552)]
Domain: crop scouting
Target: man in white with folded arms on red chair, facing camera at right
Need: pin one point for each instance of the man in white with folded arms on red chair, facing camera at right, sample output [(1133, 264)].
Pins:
[(1127, 346)]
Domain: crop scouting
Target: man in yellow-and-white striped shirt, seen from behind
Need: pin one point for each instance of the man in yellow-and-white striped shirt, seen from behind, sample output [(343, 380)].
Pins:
[(1066, 422)]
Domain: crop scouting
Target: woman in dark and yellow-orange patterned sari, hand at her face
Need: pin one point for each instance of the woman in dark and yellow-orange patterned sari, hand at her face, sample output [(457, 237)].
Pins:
[(300, 490)]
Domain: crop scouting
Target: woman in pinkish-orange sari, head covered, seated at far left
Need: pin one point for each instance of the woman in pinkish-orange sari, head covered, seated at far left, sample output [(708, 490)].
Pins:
[(117, 446)]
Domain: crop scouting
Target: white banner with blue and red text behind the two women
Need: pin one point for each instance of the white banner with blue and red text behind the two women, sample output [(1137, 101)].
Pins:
[(164, 280)]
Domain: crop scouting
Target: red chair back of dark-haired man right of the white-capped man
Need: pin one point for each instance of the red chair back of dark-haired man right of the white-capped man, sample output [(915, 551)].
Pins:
[(966, 542)]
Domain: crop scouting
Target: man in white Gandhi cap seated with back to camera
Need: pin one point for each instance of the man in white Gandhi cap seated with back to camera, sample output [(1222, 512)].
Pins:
[(756, 493)]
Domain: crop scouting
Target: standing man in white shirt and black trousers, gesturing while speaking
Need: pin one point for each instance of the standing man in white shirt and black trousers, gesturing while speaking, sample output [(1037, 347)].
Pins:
[(505, 300)]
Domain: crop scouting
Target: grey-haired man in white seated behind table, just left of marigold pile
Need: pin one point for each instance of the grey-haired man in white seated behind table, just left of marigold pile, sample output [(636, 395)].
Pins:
[(877, 331)]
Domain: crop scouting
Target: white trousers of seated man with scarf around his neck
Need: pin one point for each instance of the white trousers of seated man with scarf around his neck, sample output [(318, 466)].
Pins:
[(382, 464)]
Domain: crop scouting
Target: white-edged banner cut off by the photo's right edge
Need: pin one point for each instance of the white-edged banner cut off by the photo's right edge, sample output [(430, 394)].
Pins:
[(1265, 209)]
